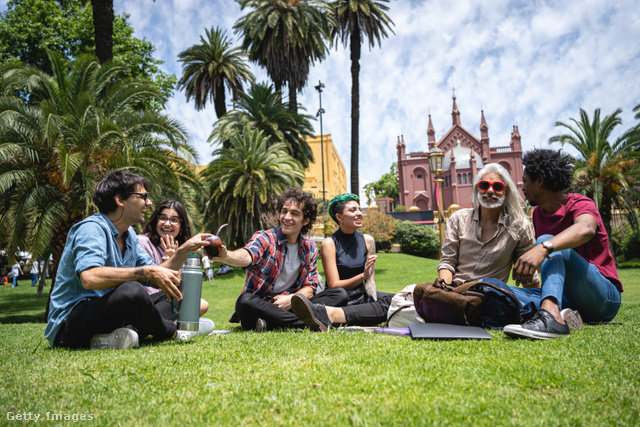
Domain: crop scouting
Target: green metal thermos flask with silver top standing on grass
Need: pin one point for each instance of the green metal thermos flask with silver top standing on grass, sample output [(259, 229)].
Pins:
[(191, 288)]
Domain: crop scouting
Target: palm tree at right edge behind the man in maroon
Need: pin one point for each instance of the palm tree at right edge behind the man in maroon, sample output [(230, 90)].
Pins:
[(604, 171)]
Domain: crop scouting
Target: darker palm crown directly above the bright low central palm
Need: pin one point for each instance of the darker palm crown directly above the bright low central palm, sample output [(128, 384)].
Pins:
[(260, 108)]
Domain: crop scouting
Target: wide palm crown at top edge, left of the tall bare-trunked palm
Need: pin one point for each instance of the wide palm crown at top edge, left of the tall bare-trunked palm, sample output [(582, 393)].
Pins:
[(286, 37)]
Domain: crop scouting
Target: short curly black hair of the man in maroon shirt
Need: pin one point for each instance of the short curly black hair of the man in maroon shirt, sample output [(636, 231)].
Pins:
[(555, 168)]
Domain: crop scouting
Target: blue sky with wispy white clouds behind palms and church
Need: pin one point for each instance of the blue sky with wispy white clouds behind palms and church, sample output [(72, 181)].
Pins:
[(528, 64)]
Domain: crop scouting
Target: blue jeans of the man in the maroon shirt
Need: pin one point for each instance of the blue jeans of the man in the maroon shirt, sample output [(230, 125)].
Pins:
[(572, 282)]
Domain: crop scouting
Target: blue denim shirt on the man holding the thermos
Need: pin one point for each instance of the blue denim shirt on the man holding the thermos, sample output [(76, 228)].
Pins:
[(90, 243)]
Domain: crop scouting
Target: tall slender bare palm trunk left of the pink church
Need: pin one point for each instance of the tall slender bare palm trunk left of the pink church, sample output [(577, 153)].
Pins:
[(355, 106)]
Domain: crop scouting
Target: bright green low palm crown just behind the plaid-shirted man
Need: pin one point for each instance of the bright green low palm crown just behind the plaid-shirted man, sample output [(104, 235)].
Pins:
[(244, 180)]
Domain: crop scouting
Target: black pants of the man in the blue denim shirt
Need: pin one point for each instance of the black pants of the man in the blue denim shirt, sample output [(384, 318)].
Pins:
[(127, 305)]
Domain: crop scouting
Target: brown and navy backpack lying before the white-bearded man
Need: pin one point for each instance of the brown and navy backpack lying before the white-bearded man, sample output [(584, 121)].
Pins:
[(488, 303)]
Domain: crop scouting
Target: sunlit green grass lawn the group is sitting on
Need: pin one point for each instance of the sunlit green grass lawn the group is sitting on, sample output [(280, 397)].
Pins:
[(305, 378)]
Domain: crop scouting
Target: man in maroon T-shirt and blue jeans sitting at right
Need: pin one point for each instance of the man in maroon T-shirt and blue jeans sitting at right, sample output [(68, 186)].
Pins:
[(572, 250)]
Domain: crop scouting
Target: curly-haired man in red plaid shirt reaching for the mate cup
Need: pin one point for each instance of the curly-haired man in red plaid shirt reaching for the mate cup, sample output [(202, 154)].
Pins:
[(280, 263)]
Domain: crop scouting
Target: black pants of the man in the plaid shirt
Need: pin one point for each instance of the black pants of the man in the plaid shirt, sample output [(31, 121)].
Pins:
[(249, 308)]
